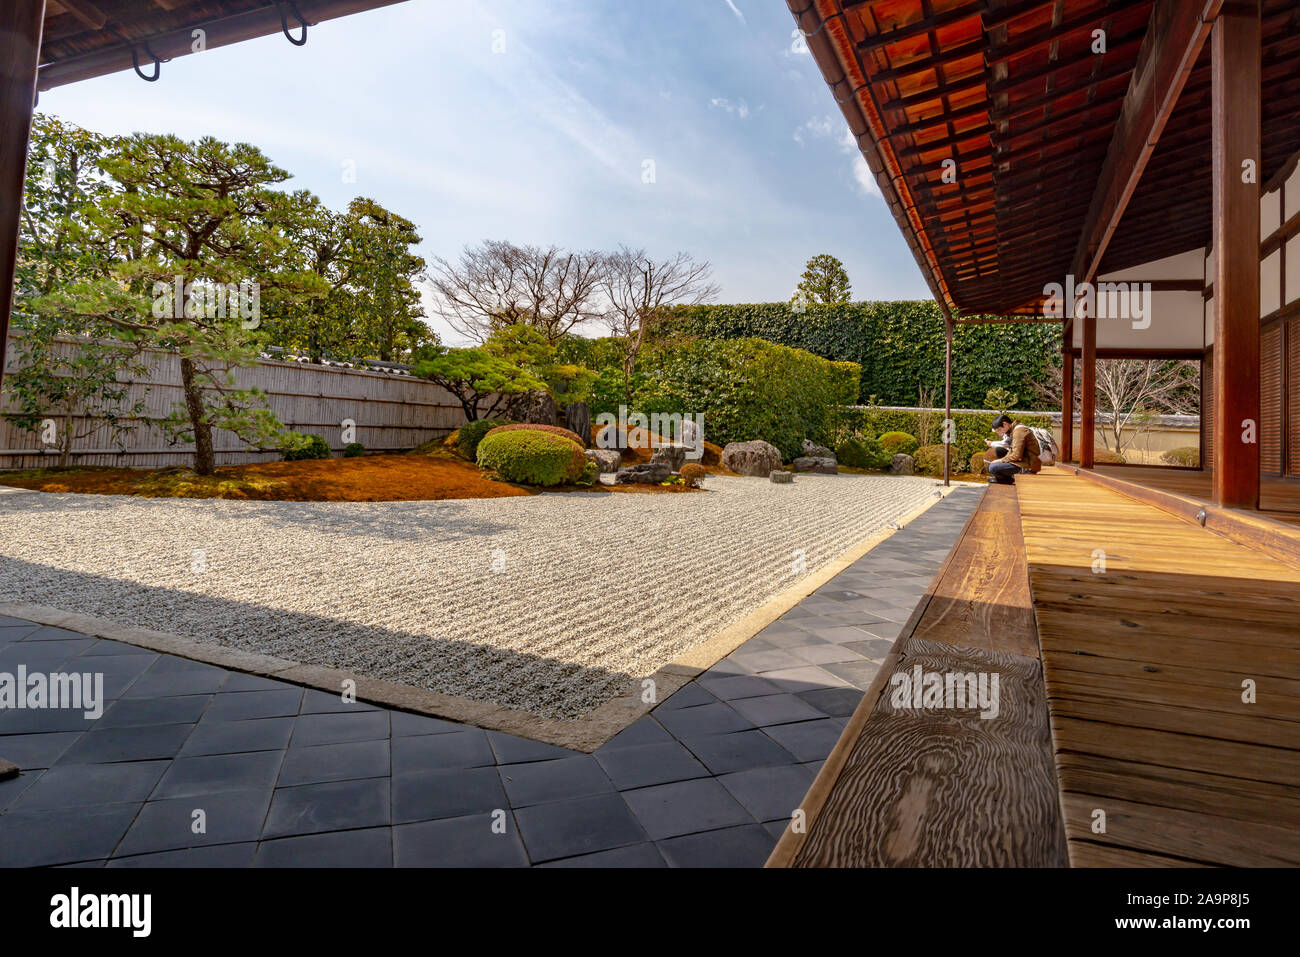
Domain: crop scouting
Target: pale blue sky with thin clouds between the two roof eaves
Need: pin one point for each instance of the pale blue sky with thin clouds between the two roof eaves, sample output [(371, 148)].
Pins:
[(536, 123)]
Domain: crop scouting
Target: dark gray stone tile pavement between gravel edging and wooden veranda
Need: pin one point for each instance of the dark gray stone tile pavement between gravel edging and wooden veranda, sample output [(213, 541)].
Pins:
[(193, 765)]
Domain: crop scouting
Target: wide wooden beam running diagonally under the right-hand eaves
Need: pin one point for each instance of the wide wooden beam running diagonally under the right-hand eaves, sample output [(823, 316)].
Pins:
[(1177, 33)]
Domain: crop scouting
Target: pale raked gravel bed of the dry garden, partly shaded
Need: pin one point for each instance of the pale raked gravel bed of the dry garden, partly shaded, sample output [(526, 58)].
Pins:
[(549, 604)]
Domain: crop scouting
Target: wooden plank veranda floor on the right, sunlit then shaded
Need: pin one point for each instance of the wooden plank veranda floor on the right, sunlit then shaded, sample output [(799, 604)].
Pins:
[(1145, 664)]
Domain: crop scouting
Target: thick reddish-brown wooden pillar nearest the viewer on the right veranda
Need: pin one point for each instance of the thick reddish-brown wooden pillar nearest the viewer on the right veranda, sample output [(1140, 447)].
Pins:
[(1236, 164)]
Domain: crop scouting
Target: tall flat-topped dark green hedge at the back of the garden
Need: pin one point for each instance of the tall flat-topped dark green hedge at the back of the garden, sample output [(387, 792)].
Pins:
[(899, 345)]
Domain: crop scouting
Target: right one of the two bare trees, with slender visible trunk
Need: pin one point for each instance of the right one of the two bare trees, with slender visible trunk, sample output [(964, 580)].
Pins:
[(638, 291)]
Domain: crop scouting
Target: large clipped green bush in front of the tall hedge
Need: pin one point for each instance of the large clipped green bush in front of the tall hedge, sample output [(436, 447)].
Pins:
[(746, 389)]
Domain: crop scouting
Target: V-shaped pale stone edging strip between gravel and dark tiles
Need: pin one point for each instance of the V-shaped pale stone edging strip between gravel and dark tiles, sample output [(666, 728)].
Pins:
[(583, 734)]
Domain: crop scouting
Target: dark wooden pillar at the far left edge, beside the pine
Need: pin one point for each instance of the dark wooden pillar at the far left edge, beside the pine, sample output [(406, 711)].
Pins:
[(20, 53)]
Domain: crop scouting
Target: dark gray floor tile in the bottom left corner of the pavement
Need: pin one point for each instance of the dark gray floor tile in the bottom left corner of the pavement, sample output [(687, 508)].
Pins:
[(33, 839)]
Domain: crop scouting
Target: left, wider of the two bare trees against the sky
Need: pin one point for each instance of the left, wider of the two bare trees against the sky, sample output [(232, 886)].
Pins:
[(500, 284)]
